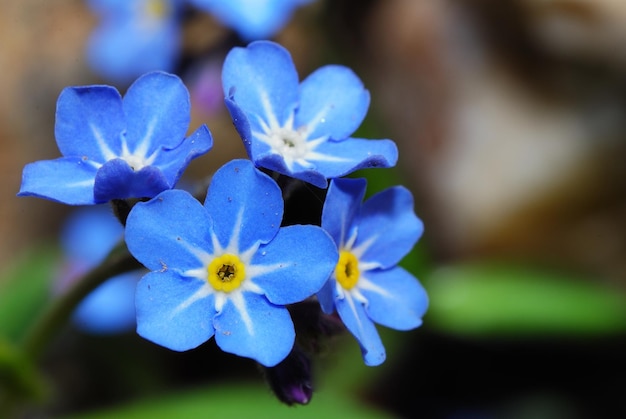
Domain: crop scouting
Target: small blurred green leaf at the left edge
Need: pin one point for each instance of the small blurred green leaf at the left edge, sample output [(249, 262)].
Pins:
[(25, 291)]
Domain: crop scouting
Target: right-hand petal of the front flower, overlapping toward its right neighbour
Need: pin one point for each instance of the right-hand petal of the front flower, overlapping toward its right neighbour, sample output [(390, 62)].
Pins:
[(299, 261)]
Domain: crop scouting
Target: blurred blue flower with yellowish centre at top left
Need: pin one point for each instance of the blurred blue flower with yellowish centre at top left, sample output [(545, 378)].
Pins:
[(134, 37)]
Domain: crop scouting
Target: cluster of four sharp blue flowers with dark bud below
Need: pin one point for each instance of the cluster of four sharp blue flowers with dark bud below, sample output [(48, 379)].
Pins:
[(230, 267)]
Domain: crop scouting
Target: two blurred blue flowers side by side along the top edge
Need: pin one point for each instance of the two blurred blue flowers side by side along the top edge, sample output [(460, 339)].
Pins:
[(138, 36)]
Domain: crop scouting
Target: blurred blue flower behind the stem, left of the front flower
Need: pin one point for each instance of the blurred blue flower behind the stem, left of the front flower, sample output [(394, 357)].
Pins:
[(87, 237)]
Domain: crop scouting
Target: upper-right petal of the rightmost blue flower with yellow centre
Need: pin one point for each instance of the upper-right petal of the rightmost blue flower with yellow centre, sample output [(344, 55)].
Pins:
[(388, 221)]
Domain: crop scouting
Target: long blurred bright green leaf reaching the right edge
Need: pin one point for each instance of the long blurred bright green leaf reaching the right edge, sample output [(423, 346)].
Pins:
[(509, 299)]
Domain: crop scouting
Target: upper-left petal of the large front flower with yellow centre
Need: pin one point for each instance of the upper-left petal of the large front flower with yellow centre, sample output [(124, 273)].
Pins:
[(167, 232)]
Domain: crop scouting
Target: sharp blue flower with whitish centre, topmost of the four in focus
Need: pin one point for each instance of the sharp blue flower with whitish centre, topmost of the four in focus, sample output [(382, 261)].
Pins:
[(300, 130)]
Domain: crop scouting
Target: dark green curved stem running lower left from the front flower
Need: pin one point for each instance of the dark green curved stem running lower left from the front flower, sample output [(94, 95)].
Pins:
[(58, 312)]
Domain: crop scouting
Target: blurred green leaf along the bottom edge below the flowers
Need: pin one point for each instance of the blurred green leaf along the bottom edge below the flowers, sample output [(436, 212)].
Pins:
[(239, 401)]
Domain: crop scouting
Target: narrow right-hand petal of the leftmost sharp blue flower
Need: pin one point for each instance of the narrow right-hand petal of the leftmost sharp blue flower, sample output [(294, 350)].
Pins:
[(172, 162)]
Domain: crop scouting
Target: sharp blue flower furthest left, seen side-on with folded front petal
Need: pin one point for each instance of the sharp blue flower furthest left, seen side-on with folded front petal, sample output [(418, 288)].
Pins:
[(117, 149)]
